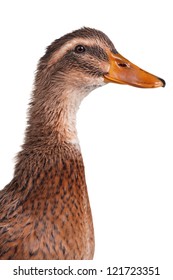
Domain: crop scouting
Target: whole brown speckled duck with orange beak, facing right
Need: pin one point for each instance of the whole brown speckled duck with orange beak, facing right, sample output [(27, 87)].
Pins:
[(45, 212)]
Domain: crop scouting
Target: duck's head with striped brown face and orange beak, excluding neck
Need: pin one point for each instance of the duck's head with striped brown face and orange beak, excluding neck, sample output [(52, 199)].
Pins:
[(86, 58)]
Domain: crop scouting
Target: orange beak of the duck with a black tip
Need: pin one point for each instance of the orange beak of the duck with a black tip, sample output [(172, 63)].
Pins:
[(122, 71)]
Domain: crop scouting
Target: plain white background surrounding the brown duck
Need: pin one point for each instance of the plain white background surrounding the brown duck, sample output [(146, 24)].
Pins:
[(125, 133)]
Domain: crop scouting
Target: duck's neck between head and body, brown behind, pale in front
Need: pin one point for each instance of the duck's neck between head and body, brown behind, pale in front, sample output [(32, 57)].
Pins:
[(53, 112)]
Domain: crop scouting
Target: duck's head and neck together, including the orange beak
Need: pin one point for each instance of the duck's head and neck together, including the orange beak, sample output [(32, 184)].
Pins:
[(71, 68)]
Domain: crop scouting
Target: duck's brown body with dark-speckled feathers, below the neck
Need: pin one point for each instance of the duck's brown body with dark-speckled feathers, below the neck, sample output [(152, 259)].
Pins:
[(52, 219)]
